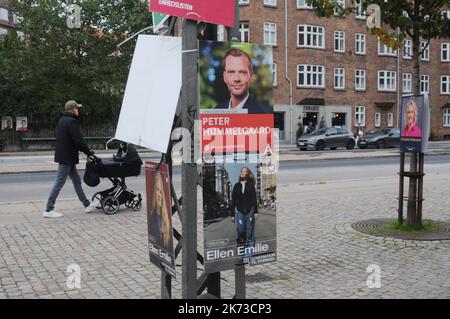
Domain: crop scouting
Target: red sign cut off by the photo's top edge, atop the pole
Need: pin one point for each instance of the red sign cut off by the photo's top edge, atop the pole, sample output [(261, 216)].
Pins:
[(213, 11)]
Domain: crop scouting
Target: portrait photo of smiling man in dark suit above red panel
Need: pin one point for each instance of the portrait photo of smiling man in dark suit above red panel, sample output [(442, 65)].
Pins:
[(235, 78)]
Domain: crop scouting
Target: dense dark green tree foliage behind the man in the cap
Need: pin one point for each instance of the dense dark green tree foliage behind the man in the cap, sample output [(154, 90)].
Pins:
[(56, 63)]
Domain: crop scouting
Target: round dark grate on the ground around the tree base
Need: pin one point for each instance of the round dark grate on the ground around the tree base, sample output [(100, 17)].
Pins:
[(376, 227)]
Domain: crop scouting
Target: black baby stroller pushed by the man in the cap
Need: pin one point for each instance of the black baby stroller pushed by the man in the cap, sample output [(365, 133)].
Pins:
[(125, 163)]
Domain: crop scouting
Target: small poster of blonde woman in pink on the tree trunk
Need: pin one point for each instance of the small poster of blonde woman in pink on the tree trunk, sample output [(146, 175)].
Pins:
[(412, 123)]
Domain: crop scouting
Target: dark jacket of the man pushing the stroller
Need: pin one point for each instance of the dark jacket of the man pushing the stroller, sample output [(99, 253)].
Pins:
[(69, 140)]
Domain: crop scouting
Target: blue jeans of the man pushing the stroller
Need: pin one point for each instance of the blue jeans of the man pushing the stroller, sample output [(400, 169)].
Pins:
[(63, 172)]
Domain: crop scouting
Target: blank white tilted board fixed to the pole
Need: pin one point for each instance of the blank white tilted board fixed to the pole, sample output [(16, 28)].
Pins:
[(152, 92)]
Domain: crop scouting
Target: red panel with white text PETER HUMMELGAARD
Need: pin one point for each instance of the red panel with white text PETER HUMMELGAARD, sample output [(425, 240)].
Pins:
[(230, 133)]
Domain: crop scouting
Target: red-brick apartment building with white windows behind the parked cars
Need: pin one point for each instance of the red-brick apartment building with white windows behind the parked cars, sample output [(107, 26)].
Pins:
[(338, 71)]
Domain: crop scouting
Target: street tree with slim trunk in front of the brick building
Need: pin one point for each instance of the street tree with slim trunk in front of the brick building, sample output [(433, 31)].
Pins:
[(419, 20)]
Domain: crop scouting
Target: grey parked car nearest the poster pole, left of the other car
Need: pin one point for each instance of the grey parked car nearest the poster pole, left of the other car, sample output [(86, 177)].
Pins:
[(327, 137)]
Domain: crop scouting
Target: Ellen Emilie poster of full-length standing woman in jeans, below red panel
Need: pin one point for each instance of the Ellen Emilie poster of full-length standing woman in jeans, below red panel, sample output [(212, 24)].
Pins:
[(239, 205)]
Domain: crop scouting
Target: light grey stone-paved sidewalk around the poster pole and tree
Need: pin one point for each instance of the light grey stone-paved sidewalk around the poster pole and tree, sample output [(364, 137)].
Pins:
[(319, 254)]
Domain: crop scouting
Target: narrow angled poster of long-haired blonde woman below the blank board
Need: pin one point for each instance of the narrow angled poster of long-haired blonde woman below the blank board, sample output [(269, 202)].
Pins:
[(159, 217)]
